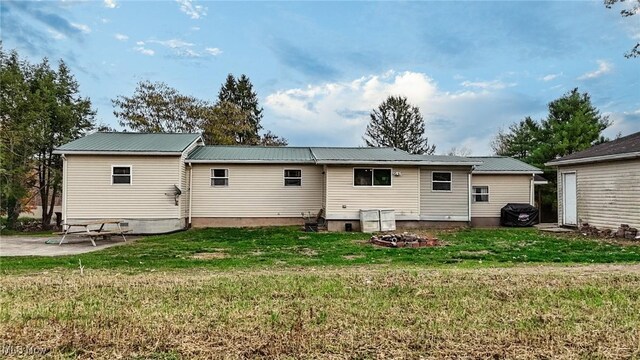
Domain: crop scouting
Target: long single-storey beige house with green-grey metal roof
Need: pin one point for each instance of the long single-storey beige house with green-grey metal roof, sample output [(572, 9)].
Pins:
[(165, 182)]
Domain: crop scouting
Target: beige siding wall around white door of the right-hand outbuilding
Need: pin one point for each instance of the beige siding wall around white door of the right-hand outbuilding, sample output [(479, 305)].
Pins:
[(608, 193)]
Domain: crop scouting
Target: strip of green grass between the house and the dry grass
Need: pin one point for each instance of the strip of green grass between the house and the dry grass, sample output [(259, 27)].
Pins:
[(289, 247)]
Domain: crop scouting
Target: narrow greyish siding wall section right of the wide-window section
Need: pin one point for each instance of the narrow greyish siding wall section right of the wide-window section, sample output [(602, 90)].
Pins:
[(444, 205)]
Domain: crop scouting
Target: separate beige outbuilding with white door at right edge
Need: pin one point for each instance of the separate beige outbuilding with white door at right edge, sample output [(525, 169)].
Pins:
[(600, 185)]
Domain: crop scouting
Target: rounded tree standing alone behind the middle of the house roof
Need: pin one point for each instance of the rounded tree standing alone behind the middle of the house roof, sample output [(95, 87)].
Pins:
[(396, 123)]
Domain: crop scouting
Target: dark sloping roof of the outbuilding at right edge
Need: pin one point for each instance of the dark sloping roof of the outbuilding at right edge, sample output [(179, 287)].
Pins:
[(618, 149)]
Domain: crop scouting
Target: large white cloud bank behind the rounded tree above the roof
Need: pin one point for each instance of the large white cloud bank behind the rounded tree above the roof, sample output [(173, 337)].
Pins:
[(337, 113)]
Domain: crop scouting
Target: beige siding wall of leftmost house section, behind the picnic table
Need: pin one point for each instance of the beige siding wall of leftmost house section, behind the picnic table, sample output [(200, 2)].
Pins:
[(91, 195)]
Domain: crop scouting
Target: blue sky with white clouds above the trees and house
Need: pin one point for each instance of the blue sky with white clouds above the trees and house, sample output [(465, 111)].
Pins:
[(319, 68)]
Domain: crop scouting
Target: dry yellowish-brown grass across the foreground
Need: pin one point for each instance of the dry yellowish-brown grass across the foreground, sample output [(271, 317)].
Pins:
[(354, 312)]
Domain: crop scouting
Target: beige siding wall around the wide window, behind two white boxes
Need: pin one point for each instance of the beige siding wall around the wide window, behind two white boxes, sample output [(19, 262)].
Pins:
[(402, 195)]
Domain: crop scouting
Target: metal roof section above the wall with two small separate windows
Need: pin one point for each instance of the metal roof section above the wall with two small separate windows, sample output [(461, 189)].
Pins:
[(250, 154)]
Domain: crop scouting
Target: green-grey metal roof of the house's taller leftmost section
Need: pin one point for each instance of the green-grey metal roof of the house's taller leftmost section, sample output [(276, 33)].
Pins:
[(123, 142)]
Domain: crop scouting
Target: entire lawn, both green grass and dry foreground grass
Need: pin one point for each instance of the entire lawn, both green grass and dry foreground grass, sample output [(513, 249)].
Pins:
[(282, 293)]
